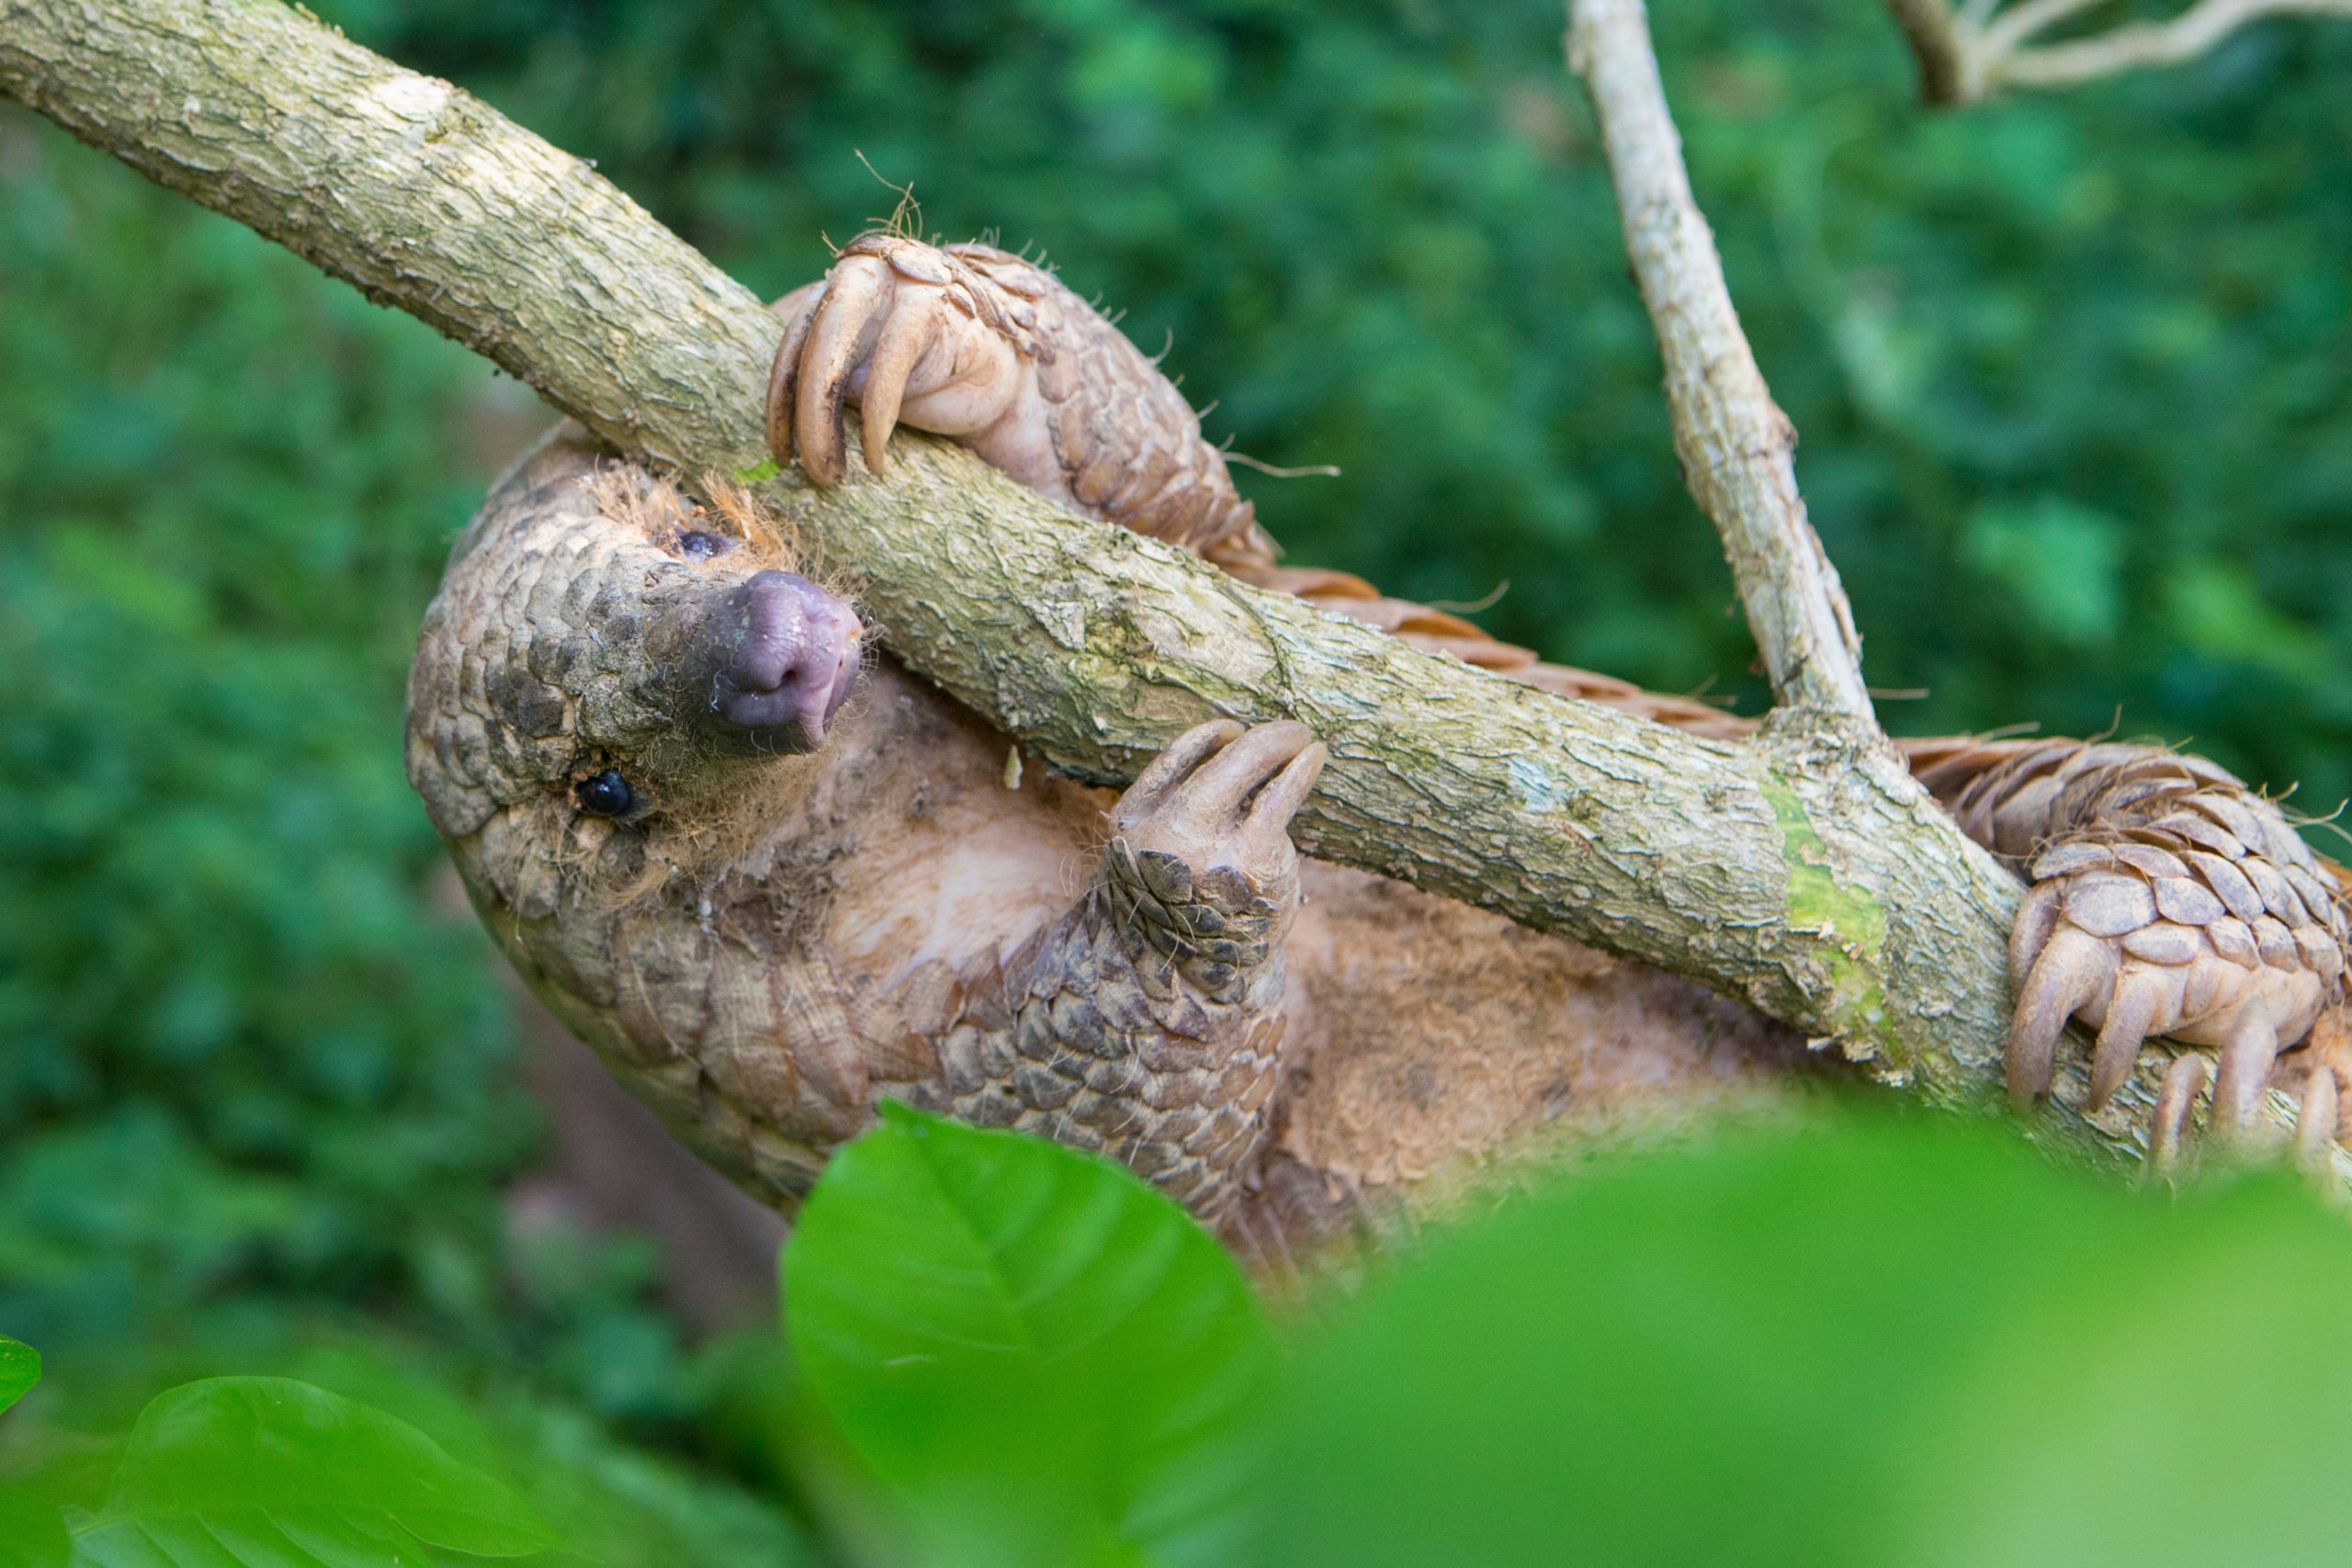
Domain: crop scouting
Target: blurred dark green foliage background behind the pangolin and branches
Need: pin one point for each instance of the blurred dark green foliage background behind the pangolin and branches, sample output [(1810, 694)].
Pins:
[(2073, 377)]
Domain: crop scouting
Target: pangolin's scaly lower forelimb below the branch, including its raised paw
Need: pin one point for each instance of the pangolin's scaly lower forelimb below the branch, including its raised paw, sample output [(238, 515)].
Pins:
[(1147, 1024)]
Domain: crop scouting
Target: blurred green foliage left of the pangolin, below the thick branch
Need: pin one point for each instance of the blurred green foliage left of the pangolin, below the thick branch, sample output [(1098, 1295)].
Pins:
[(248, 1057)]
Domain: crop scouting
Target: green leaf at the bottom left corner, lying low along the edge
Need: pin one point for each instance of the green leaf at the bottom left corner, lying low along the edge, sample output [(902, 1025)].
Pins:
[(269, 1473)]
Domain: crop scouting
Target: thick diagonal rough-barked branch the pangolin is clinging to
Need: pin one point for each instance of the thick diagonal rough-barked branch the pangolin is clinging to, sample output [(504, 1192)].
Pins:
[(1805, 873)]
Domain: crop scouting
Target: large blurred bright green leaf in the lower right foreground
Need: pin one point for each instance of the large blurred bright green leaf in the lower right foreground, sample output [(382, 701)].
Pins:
[(1852, 1348)]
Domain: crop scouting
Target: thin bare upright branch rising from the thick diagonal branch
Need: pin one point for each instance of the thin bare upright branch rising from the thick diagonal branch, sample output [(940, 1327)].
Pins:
[(1735, 443)]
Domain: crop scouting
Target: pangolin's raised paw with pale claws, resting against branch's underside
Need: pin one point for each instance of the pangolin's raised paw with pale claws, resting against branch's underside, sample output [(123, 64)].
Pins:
[(1201, 862)]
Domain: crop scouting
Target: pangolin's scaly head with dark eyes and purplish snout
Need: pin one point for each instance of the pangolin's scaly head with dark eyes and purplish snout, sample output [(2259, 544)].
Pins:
[(617, 688)]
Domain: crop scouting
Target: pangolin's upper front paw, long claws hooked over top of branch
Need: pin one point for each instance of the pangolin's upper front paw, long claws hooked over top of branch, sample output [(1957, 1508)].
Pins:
[(904, 330)]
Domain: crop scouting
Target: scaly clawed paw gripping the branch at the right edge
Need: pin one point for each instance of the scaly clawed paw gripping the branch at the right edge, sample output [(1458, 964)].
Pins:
[(2210, 937)]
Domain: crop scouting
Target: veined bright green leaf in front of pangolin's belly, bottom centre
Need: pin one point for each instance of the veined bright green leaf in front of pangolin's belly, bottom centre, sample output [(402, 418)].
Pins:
[(1053, 1360)]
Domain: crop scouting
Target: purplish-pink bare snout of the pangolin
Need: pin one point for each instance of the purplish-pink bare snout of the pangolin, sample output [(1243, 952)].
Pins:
[(791, 662)]
